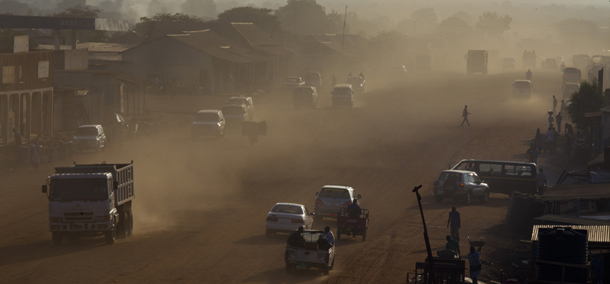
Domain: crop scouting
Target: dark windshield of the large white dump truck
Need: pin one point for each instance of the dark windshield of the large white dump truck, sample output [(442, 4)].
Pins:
[(79, 189)]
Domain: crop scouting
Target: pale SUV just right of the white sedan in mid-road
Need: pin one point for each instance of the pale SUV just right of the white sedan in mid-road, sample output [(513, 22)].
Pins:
[(331, 198)]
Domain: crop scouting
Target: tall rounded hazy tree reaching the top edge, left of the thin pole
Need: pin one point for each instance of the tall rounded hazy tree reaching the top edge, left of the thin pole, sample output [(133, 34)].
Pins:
[(303, 17)]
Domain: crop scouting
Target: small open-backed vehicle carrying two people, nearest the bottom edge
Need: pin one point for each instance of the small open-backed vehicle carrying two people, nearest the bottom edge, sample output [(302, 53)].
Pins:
[(310, 255)]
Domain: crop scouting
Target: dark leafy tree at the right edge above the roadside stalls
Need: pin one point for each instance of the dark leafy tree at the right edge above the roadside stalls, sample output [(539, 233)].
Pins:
[(587, 99)]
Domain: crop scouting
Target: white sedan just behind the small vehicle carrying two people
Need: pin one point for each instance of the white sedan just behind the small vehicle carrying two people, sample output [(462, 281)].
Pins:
[(287, 217)]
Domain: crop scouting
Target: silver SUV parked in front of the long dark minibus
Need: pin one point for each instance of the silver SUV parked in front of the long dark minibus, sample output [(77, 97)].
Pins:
[(460, 185)]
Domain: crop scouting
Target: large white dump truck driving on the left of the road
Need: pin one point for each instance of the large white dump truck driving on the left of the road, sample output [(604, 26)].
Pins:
[(90, 200)]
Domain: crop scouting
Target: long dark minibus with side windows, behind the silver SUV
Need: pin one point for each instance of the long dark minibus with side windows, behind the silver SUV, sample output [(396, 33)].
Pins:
[(503, 176)]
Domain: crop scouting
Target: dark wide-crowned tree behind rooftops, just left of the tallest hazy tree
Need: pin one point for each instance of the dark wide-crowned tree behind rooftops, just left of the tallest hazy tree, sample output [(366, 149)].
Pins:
[(261, 17)]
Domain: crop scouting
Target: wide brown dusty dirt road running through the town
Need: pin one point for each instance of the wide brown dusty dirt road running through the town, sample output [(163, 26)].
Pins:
[(200, 205)]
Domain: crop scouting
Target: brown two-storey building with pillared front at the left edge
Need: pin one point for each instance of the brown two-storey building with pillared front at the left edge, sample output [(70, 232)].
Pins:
[(26, 95)]
